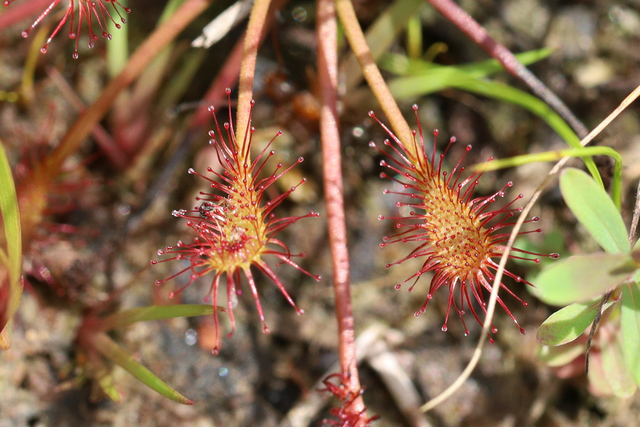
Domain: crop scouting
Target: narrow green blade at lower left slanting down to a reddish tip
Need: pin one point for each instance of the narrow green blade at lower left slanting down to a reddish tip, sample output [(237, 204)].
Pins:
[(112, 351)]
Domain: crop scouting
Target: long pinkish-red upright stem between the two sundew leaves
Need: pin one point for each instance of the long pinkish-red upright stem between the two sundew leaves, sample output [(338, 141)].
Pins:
[(332, 177)]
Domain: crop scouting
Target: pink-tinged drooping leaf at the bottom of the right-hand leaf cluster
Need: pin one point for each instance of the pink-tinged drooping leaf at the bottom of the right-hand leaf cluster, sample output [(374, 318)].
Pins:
[(613, 363)]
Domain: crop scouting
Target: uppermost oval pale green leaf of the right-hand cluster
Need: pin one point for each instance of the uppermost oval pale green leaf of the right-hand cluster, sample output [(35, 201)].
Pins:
[(595, 210)]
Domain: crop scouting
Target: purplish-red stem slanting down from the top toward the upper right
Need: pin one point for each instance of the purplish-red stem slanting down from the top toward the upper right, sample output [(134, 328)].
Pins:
[(479, 35)]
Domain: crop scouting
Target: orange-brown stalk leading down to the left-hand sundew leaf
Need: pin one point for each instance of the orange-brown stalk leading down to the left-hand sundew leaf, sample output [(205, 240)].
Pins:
[(255, 31)]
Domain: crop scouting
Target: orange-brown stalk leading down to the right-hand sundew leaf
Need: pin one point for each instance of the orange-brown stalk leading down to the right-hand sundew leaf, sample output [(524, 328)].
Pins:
[(372, 75)]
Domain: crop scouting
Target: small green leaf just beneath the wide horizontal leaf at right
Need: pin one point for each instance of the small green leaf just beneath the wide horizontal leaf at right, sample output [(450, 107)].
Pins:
[(568, 323)]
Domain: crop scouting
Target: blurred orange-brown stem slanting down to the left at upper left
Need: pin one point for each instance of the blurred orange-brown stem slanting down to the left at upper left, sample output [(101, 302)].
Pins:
[(162, 36)]
